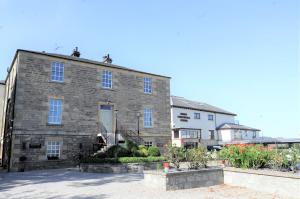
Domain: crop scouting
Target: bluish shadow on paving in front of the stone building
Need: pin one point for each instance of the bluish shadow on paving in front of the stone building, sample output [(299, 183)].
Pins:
[(75, 178)]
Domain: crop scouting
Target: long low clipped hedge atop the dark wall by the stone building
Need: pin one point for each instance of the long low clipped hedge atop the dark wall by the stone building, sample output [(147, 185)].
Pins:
[(123, 160)]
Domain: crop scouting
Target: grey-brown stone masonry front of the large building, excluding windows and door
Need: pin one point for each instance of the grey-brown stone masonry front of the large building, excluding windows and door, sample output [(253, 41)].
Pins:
[(82, 94)]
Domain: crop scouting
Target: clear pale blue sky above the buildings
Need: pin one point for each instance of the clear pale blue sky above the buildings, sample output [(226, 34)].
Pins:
[(240, 55)]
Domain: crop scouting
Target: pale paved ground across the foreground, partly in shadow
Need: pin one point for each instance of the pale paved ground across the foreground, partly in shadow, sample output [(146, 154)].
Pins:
[(64, 183)]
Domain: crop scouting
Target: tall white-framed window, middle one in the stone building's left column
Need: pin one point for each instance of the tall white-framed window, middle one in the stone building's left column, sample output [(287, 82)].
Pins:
[(55, 111)]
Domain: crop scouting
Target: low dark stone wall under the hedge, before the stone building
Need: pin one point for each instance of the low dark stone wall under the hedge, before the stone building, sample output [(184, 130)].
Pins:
[(119, 168)]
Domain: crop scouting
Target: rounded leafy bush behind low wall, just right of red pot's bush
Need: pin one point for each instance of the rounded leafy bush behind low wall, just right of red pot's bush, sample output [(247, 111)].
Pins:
[(197, 157)]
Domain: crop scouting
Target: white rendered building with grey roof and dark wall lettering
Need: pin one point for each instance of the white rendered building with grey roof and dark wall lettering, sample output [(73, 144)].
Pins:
[(195, 123)]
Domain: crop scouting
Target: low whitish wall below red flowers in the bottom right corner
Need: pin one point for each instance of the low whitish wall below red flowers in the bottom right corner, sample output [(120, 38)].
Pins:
[(280, 183)]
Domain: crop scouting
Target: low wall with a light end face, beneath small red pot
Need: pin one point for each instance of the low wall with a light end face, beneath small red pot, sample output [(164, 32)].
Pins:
[(184, 179)]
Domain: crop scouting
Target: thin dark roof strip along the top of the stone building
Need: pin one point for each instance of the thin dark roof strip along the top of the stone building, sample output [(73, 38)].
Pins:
[(68, 57)]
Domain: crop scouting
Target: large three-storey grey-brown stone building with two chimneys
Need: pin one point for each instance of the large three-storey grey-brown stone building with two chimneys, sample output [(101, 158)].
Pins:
[(56, 107)]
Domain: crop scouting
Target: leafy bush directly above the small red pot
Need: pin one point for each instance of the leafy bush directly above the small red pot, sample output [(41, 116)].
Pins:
[(175, 155)]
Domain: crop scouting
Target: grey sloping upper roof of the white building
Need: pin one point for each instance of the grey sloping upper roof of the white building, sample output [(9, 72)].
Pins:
[(181, 102)]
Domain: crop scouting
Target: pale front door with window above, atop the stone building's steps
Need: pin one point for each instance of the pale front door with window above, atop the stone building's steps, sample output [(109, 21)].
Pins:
[(106, 123)]
